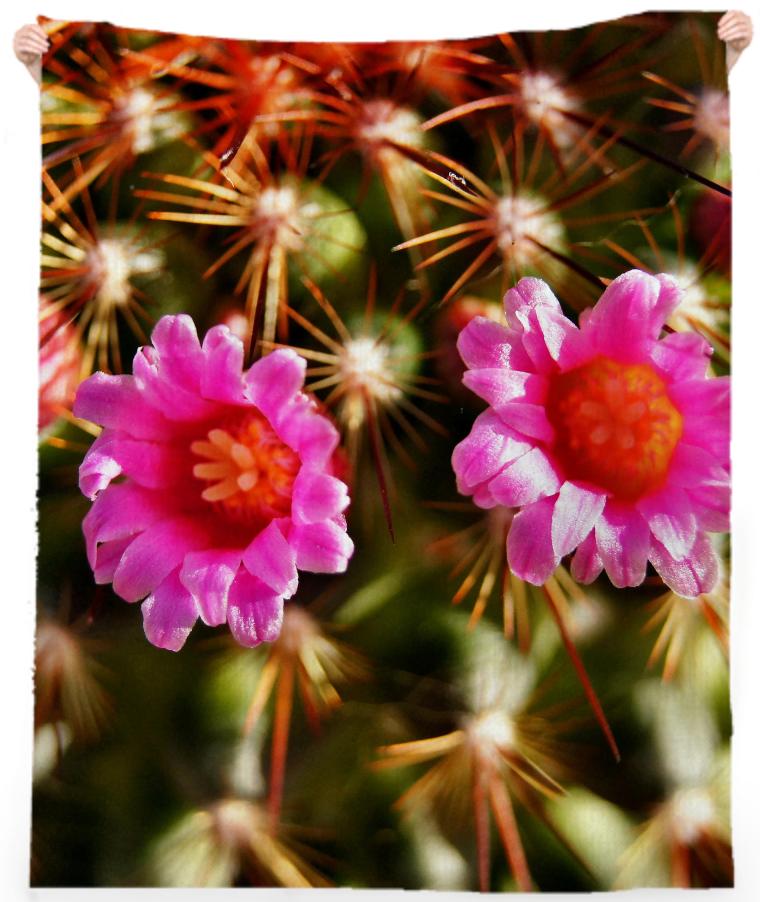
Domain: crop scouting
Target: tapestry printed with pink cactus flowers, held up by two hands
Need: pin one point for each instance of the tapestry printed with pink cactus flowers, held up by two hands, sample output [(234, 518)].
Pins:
[(387, 383)]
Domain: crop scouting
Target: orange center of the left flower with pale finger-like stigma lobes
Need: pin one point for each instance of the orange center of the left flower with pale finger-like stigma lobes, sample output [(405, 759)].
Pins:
[(249, 470)]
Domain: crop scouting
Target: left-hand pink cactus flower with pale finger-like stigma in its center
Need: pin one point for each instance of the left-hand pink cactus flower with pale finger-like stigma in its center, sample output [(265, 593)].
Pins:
[(226, 485)]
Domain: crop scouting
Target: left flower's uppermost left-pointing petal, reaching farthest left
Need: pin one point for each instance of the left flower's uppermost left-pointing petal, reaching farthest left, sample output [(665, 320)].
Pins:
[(116, 402)]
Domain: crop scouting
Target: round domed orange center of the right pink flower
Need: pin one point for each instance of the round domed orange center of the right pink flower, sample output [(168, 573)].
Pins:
[(615, 426)]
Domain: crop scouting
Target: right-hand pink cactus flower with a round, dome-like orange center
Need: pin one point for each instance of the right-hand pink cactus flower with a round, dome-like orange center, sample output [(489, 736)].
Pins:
[(611, 441)]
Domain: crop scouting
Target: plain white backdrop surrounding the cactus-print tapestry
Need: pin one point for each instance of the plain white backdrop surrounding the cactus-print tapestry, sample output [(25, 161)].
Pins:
[(336, 20)]
